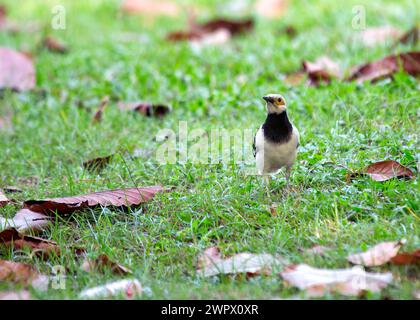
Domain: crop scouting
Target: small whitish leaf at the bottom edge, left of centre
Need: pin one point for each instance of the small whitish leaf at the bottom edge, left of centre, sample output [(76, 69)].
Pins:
[(129, 287)]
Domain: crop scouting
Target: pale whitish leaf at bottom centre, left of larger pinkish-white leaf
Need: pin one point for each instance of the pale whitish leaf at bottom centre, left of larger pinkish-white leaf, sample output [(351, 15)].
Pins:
[(251, 264)]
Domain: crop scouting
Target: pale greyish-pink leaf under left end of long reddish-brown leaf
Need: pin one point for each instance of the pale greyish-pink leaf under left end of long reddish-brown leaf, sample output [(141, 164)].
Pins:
[(26, 220)]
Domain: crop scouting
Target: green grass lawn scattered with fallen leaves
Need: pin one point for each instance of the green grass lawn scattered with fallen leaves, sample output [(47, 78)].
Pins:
[(127, 58)]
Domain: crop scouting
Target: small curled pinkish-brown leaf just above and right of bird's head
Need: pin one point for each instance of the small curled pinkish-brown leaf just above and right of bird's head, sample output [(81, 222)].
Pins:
[(322, 70)]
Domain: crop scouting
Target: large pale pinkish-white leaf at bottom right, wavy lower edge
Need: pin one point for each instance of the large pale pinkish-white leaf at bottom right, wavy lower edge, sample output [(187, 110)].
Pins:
[(349, 282)]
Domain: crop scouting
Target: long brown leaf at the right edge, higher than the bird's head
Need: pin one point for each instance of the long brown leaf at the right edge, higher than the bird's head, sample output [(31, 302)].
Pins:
[(409, 62)]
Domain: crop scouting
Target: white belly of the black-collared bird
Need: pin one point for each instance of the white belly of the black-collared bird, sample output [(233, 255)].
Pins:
[(271, 157)]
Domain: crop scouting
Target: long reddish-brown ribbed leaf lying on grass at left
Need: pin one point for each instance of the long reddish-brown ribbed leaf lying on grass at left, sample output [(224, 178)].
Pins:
[(117, 198)]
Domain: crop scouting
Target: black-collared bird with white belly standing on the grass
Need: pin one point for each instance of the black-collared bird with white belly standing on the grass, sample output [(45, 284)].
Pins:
[(276, 141)]
